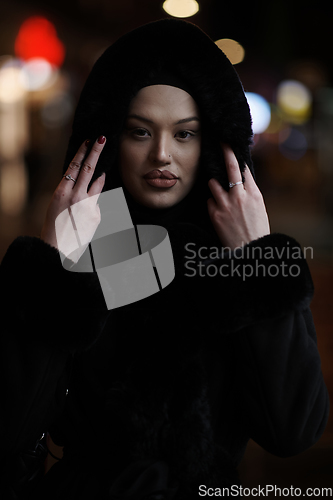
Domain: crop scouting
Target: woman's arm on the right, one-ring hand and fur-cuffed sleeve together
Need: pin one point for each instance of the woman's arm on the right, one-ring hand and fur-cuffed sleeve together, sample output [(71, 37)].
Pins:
[(283, 396)]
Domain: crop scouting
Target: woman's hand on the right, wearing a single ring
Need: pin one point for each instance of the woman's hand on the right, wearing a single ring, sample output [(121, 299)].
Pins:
[(238, 216)]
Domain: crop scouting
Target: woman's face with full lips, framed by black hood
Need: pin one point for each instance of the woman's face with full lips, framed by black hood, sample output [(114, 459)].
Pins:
[(160, 146)]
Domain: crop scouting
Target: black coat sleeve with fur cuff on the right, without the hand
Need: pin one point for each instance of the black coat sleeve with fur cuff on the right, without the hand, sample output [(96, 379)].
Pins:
[(280, 391)]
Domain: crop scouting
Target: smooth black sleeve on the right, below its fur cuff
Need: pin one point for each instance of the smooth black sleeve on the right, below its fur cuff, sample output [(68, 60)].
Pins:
[(283, 396)]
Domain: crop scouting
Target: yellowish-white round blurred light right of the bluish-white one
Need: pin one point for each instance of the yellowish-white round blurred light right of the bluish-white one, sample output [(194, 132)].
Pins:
[(294, 100)]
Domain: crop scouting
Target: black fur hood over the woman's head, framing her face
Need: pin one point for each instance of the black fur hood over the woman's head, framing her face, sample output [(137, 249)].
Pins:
[(167, 45)]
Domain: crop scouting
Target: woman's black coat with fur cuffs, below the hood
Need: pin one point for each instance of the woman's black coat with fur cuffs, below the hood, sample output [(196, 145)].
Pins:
[(163, 394)]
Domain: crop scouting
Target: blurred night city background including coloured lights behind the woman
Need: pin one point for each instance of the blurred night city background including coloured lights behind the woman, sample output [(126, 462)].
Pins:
[(283, 54)]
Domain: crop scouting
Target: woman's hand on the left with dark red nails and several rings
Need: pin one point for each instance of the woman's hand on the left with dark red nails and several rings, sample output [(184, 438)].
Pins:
[(69, 193)]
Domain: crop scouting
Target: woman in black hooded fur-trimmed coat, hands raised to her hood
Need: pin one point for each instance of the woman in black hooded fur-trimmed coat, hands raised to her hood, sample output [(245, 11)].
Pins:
[(164, 393)]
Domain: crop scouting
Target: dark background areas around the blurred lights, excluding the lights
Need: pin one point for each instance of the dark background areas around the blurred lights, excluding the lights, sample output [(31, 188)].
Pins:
[(282, 40)]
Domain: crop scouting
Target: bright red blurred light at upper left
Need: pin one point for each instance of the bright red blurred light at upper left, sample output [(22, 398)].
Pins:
[(37, 37)]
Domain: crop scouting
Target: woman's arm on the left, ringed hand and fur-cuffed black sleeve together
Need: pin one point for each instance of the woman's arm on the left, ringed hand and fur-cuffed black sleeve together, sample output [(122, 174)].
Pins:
[(48, 314)]
